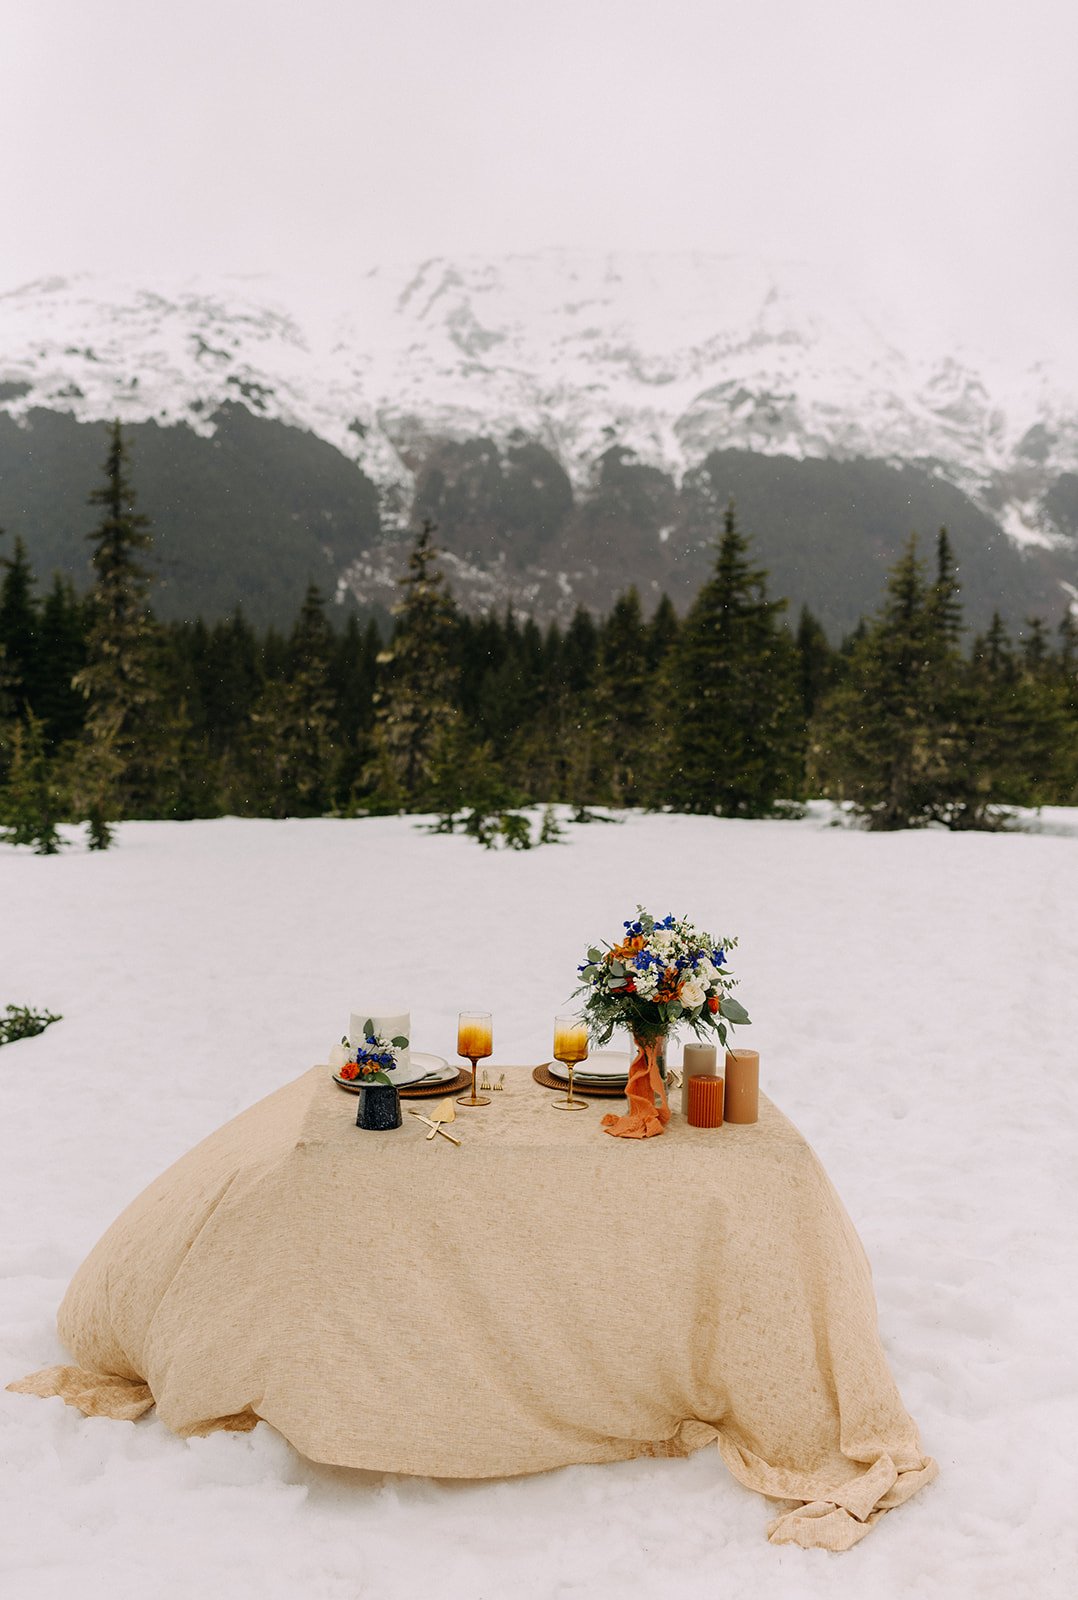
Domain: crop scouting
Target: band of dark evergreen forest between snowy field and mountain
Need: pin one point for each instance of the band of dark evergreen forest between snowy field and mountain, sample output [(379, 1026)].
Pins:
[(108, 713)]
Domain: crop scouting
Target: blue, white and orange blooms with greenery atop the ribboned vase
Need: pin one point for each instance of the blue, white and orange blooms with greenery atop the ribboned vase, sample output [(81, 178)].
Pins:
[(660, 975)]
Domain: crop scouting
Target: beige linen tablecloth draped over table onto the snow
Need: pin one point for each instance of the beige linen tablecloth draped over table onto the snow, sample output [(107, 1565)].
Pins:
[(580, 1298)]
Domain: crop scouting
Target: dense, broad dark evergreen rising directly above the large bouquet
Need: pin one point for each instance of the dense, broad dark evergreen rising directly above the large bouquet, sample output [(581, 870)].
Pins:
[(732, 694)]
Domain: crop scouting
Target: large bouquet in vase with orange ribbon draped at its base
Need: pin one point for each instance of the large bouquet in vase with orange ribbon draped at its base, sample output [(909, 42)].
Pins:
[(660, 975)]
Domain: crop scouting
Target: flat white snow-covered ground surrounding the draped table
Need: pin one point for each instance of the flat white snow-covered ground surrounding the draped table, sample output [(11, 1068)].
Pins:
[(916, 1002)]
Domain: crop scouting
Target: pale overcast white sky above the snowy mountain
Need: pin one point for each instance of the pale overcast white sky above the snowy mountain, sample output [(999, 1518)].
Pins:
[(927, 146)]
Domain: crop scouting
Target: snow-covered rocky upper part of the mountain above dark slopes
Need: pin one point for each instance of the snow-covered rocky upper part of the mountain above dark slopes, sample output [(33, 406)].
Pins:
[(647, 362)]
